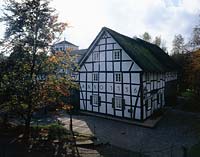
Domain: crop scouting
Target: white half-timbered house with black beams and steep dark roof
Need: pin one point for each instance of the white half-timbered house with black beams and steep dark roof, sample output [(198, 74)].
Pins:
[(125, 77)]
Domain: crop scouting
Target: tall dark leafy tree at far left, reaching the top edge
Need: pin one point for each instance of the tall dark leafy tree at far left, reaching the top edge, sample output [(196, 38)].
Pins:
[(31, 26)]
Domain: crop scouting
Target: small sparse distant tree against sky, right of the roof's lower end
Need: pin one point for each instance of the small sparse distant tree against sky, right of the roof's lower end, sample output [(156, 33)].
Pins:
[(178, 44)]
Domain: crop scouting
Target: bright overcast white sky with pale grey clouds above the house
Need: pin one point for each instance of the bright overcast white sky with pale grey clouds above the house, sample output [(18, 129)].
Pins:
[(163, 18)]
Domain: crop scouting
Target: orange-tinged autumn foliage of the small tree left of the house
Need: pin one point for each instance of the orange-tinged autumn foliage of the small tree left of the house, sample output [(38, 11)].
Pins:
[(56, 89)]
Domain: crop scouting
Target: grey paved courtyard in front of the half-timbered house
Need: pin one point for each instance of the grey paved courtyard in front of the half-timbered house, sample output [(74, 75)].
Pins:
[(176, 129)]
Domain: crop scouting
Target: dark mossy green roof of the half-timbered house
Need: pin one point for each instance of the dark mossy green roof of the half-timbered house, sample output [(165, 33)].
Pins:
[(148, 56)]
